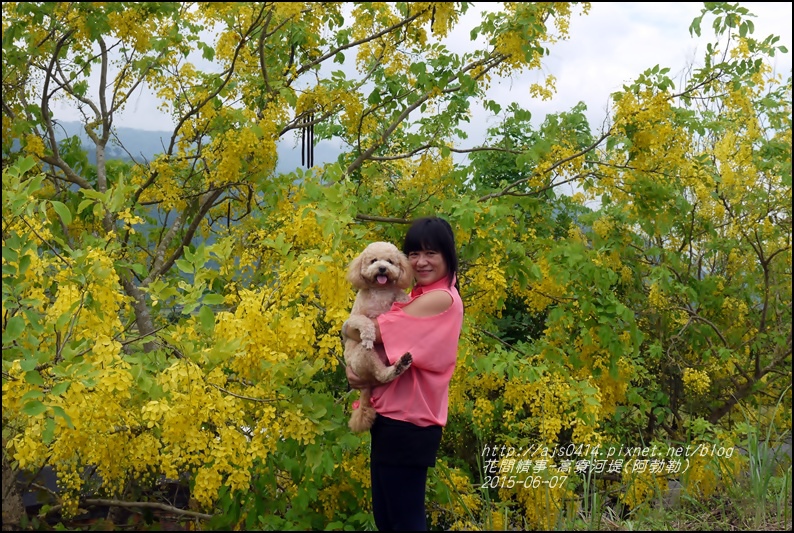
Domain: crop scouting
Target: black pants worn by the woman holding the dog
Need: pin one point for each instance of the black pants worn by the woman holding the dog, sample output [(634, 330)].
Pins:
[(401, 454)]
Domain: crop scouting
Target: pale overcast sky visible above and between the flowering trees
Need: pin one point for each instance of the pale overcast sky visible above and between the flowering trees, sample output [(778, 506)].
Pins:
[(608, 47)]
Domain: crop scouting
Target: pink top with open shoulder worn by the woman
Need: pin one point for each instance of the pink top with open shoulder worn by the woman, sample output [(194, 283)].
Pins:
[(421, 394)]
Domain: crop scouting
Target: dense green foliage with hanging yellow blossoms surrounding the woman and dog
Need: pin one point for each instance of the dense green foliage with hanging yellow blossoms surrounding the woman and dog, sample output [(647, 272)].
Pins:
[(179, 318)]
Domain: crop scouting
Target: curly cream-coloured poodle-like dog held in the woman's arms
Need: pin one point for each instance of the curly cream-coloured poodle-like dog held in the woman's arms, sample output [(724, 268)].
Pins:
[(381, 273)]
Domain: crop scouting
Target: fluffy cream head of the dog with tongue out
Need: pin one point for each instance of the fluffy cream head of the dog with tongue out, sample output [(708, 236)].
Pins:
[(379, 265)]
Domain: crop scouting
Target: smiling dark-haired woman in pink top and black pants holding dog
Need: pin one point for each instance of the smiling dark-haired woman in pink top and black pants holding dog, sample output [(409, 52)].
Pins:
[(412, 409)]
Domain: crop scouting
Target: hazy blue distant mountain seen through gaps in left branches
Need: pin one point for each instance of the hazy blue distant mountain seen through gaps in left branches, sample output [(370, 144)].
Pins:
[(143, 144)]
